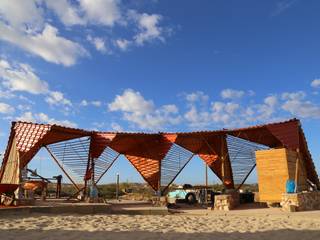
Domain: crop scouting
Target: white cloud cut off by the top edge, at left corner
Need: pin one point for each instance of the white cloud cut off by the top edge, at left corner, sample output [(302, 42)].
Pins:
[(31, 12)]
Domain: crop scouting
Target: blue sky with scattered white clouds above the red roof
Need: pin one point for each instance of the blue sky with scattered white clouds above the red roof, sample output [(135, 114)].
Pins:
[(160, 65)]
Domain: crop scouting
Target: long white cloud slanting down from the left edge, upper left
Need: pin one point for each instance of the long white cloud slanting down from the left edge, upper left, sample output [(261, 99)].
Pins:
[(47, 44)]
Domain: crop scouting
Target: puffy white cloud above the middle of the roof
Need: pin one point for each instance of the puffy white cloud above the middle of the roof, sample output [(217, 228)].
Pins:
[(143, 113)]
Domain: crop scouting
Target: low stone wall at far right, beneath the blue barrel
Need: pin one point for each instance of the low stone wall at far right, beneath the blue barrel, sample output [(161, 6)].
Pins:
[(303, 201)]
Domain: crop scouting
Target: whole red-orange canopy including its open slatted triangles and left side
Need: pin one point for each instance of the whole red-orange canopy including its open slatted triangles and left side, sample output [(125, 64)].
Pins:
[(147, 152)]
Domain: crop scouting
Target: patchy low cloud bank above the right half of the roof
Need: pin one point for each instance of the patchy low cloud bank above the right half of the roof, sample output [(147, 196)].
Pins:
[(227, 113)]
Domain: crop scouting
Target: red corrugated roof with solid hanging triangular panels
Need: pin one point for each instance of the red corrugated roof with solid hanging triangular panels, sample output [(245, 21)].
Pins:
[(146, 150)]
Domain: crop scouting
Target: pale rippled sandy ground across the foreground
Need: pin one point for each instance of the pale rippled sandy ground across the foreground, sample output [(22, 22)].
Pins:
[(235, 225)]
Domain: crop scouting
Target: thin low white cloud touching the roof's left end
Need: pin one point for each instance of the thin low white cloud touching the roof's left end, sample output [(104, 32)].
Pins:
[(44, 118)]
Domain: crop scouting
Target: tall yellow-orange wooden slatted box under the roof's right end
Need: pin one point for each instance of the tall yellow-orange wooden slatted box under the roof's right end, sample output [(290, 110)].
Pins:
[(274, 168)]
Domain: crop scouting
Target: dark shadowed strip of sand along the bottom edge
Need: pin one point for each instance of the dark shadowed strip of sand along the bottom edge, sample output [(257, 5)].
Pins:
[(286, 234)]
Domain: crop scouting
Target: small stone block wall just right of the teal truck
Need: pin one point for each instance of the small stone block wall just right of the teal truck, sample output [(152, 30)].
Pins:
[(226, 202)]
